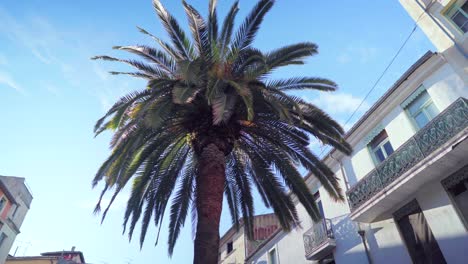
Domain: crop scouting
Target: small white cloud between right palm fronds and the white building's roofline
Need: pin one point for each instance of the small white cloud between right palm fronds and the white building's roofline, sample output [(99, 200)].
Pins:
[(338, 103)]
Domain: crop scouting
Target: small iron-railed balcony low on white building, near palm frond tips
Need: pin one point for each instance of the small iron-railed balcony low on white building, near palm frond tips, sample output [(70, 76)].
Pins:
[(319, 241)]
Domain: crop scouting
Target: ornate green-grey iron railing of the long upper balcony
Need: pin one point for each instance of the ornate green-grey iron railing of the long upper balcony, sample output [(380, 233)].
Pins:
[(443, 127)]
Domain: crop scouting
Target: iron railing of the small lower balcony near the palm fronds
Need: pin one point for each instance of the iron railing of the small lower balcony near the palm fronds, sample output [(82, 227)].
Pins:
[(319, 233)]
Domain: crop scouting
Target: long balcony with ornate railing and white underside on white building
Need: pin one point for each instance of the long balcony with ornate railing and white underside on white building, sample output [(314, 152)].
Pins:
[(433, 150)]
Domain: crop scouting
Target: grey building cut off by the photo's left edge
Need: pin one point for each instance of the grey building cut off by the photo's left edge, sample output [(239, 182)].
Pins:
[(15, 201)]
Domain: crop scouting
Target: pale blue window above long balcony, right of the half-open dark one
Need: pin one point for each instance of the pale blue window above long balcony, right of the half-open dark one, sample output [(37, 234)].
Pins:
[(422, 109)]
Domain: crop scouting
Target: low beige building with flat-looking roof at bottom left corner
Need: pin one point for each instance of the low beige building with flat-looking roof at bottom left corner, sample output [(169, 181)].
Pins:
[(58, 257)]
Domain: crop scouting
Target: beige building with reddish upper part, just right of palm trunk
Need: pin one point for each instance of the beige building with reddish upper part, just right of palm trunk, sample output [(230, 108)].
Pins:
[(234, 245)]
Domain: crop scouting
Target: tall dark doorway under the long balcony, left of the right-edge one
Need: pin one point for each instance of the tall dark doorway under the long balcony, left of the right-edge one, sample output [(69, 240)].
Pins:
[(417, 234)]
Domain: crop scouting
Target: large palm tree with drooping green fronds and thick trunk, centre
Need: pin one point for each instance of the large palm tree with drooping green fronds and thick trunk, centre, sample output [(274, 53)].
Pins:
[(211, 123)]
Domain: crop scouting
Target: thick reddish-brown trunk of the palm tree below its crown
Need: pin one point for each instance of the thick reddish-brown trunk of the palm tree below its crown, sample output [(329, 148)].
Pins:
[(210, 187)]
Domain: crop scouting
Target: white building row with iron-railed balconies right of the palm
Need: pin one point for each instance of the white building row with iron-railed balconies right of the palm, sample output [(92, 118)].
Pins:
[(407, 178)]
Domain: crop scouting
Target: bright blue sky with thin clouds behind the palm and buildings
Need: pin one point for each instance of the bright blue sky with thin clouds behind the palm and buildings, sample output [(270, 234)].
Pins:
[(52, 94)]
